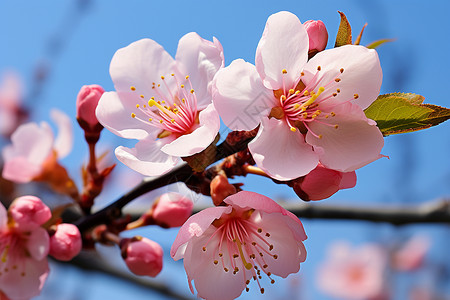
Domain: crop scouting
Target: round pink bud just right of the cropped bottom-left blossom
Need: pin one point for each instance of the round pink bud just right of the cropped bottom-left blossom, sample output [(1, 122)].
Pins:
[(65, 244)]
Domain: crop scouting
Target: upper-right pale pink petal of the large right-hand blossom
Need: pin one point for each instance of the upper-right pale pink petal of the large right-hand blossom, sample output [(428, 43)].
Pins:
[(362, 73)]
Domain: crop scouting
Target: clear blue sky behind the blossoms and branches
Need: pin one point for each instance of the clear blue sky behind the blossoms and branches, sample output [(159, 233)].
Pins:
[(418, 61)]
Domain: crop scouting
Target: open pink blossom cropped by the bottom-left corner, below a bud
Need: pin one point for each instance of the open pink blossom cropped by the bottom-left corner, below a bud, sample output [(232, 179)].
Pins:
[(23, 253)]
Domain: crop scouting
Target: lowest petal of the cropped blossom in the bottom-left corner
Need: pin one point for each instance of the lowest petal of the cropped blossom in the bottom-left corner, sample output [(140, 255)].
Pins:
[(18, 286)]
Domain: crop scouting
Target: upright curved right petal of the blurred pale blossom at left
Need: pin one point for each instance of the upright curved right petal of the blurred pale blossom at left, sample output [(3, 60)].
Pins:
[(64, 140)]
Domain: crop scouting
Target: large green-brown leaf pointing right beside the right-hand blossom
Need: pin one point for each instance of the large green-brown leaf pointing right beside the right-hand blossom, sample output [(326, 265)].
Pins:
[(404, 112)]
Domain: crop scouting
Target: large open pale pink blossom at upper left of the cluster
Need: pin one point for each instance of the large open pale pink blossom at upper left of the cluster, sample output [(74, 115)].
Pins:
[(162, 102)]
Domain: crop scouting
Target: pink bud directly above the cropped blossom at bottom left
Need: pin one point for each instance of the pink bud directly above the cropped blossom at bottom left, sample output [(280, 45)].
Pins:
[(29, 212)]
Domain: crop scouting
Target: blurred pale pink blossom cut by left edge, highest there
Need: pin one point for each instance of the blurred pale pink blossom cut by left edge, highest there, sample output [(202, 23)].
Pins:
[(10, 103)]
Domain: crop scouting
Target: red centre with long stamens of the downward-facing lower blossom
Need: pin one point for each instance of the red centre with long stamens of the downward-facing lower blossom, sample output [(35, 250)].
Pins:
[(243, 248)]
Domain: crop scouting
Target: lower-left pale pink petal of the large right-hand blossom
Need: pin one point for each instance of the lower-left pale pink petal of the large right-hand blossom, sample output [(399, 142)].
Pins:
[(281, 153)]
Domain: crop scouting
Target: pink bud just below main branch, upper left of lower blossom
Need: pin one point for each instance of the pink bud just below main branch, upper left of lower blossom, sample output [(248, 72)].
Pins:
[(172, 210)]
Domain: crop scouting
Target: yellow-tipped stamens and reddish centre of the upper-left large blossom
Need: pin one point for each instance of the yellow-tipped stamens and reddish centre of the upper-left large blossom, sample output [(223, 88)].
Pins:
[(173, 110)]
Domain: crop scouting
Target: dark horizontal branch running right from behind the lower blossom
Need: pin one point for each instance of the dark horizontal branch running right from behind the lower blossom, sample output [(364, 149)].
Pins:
[(430, 212)]
